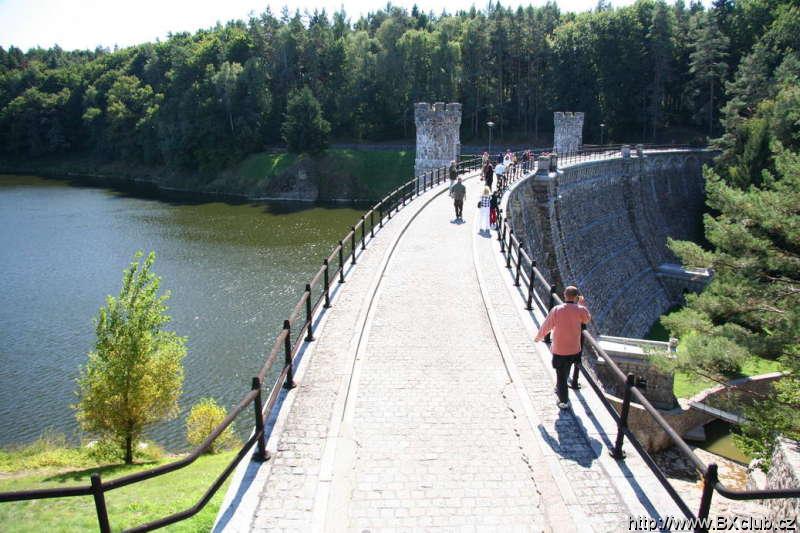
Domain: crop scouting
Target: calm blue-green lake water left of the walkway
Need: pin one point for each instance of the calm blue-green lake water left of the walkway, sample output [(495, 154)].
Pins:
[(234, 271)]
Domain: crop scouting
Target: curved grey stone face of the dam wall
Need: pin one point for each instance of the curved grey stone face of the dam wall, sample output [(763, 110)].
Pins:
[(603, 225)]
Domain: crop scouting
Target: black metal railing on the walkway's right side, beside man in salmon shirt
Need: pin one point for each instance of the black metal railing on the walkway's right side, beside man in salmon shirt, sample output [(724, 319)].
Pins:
[(537, 291)]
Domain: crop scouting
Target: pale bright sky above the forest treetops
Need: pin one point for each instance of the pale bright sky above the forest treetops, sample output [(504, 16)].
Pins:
[(81, 24)]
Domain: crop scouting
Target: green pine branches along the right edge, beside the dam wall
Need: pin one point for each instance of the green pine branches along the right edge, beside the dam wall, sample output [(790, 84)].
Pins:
[(751, 305)]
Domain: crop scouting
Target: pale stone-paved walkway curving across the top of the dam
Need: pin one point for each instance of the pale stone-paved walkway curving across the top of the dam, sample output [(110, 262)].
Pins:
[(425, 405)]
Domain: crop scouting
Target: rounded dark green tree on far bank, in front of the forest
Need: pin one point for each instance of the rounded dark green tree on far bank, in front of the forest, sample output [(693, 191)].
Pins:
[(304, 128)]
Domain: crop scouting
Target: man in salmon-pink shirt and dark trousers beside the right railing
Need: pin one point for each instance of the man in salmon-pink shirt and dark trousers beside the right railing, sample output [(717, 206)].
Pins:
[(565, 322)]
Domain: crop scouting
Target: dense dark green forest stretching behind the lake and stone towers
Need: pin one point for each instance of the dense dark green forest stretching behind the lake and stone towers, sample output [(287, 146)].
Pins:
[(206, 99)]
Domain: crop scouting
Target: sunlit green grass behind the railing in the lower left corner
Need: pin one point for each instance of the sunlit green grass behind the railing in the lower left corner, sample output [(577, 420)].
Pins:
[(46, 464)]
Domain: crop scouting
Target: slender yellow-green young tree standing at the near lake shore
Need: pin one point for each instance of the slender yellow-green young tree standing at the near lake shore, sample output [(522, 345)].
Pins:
[(134, 375)]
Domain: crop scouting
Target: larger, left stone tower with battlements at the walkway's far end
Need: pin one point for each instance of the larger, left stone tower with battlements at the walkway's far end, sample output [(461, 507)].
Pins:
[(438, 135)]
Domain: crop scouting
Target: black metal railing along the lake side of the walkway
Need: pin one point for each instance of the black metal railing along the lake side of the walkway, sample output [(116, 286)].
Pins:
[(297, 330)]
